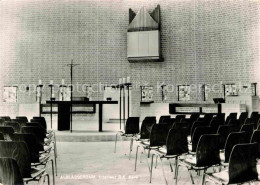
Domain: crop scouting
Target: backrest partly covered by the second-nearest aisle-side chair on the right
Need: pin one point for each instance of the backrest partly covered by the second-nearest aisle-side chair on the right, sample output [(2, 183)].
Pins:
[(199, 131)]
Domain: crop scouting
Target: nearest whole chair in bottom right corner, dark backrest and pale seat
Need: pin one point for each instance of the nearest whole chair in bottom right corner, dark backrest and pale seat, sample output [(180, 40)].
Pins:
[(241, 169)]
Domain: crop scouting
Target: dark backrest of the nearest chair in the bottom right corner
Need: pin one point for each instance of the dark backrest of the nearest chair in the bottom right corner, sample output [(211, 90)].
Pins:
[(242, 163)]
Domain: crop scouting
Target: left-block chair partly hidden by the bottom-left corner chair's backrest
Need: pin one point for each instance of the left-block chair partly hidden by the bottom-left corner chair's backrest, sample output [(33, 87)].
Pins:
[(20, 153)]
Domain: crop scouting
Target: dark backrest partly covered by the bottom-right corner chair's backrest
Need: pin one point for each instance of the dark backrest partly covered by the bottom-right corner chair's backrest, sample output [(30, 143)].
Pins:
[(233, 139)]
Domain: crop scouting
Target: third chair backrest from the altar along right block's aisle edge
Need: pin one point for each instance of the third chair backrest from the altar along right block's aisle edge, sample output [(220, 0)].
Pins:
[(158, 135)]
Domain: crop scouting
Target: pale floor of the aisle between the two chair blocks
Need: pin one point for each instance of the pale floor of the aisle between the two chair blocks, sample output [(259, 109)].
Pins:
[(95, 163)]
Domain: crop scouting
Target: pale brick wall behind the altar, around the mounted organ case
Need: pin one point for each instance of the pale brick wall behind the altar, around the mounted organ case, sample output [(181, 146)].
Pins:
[(203, 42)]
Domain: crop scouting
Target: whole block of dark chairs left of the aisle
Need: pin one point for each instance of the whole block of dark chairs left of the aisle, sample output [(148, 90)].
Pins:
[(26, 150)]
